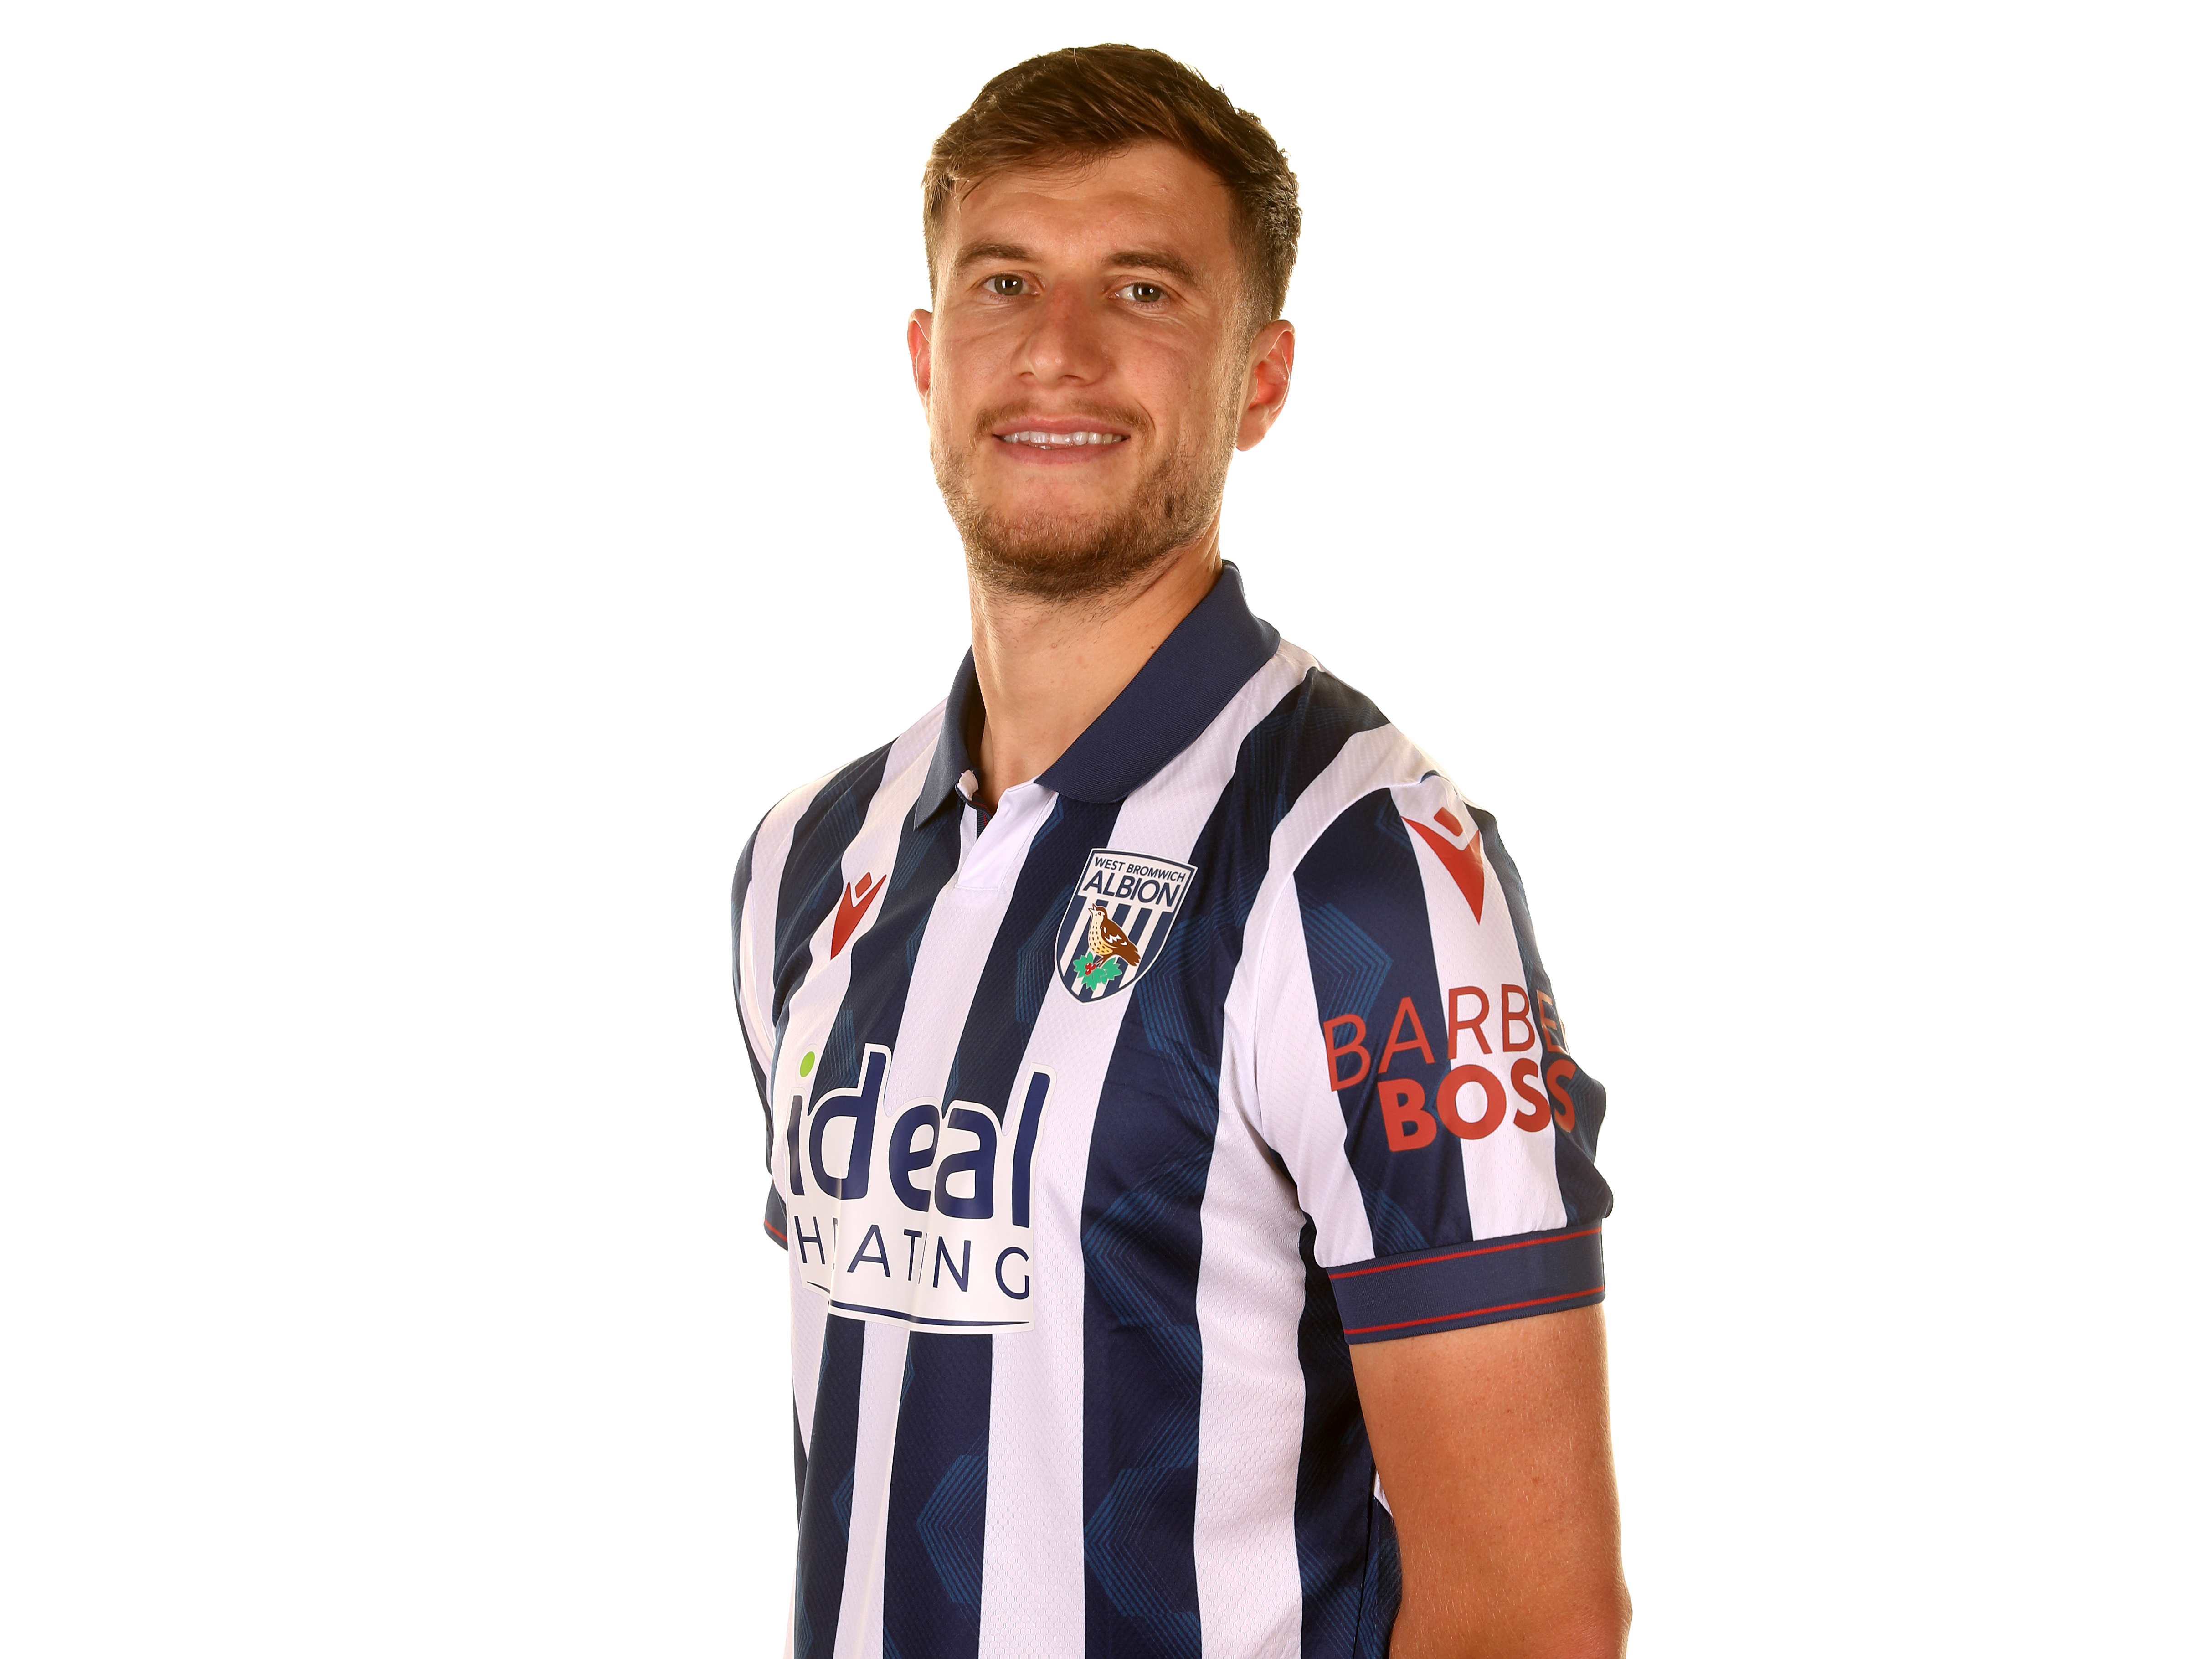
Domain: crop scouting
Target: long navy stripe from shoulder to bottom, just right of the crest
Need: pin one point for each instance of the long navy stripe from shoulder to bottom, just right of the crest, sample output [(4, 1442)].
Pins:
[(1151, 1151)]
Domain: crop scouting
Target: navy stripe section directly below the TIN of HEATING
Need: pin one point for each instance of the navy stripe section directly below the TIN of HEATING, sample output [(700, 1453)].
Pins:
[(932, 1556)]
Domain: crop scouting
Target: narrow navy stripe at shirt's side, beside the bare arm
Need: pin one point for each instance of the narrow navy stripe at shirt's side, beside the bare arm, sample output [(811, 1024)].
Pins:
[(1335, 1474)]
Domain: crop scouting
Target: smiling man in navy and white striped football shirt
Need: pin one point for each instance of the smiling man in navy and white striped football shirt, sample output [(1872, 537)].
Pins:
[(1185, 1173)]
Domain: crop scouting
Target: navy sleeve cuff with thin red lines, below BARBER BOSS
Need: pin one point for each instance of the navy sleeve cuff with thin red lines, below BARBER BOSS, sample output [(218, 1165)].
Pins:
[(1474, 1284)]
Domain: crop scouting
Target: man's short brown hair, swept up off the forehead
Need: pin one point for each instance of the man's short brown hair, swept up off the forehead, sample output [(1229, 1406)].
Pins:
[(1096, 101)]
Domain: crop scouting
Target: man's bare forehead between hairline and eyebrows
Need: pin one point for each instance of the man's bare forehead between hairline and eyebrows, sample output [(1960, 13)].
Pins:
[(1151, 196)]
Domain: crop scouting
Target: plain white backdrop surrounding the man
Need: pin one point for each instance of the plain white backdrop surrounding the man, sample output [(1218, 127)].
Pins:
[(459, 466)]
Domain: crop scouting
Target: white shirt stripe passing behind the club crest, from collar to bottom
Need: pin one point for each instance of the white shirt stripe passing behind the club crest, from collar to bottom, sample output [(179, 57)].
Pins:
[(1034, 1510)]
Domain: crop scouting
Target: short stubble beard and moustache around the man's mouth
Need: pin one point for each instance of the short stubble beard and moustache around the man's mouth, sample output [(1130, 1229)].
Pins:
[(1072, 556)]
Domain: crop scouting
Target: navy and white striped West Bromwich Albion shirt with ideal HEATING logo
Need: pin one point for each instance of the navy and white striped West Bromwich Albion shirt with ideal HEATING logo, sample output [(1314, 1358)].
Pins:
[(1103, 1125)]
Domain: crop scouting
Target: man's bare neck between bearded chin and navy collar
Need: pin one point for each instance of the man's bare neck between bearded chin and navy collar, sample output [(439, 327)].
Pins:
[(1047, 669)]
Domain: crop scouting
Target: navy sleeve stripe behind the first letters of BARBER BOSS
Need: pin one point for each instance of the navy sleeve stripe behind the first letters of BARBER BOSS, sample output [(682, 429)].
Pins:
[(1370, 950)]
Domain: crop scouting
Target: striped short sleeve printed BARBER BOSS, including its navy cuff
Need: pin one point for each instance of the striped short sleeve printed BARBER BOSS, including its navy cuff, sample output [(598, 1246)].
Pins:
[(1417, 1083)]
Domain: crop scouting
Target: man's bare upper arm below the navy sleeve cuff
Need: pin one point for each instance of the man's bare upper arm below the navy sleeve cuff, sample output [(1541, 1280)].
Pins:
[(1496, 1459)]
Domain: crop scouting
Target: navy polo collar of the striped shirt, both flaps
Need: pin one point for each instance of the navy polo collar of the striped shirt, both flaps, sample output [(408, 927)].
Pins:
[(1173, 698)]
